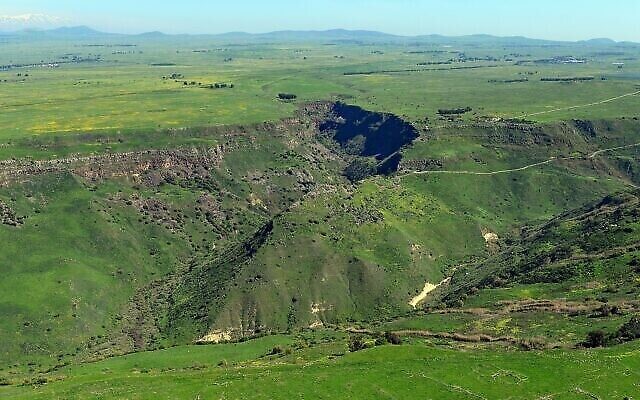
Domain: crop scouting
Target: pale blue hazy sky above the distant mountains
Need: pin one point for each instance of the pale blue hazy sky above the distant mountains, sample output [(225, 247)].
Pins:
[(548, 19)]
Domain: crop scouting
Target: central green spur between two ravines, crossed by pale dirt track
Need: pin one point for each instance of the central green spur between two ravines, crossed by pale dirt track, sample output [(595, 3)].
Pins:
[(349, 254)]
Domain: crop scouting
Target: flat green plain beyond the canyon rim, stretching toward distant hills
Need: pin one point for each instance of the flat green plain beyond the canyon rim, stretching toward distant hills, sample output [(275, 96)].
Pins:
[(126, 92)]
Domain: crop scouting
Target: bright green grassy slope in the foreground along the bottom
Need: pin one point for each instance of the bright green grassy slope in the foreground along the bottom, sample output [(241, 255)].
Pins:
[(325, 371)]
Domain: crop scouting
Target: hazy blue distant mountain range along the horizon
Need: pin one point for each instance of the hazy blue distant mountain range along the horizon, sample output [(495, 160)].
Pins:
[(333, 35)]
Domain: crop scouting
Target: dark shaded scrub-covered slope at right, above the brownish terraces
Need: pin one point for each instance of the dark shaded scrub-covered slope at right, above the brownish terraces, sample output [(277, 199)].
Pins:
[(591, 251)]
